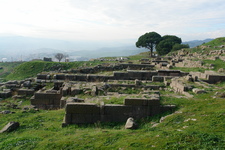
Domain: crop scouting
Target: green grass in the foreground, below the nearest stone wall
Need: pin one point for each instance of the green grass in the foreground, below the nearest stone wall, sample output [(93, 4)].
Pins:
[(199, 125)]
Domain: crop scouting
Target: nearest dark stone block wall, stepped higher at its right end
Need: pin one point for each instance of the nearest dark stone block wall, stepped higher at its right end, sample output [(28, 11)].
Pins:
[(80, 113)]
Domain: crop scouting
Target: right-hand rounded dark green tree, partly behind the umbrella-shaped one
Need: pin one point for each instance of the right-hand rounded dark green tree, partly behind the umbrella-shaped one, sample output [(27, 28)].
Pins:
[(167, 43)]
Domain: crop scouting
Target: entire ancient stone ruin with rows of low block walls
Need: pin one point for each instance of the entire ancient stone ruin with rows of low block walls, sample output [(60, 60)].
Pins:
[(148, 77)]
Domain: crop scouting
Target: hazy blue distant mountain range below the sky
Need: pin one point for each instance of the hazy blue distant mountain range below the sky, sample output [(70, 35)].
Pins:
[(16, 48)]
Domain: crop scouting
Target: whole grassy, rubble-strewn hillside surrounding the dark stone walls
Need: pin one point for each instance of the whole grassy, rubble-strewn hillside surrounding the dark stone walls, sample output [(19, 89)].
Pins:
[(197, 122)]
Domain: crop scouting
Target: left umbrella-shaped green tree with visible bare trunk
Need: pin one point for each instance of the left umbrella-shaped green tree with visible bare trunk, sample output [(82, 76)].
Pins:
[(149, 41)]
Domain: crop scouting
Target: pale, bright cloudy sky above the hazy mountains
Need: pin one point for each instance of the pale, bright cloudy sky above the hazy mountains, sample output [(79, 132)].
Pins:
[(112, 20)]
